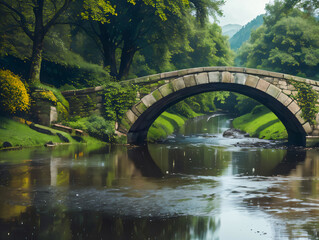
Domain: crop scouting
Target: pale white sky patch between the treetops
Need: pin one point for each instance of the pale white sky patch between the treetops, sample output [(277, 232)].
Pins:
[(241, 11)]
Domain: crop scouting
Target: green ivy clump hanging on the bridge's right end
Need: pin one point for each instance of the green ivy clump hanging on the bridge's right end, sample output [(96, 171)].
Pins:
[(307, 99)]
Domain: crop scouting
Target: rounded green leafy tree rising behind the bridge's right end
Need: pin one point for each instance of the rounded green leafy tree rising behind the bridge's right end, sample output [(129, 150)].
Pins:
[(287, 42)]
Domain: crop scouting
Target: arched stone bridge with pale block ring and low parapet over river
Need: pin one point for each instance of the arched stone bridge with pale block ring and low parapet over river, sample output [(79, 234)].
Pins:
[(272, 89)]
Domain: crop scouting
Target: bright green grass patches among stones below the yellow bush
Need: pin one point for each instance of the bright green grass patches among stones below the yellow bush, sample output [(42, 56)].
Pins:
[(19, 134)]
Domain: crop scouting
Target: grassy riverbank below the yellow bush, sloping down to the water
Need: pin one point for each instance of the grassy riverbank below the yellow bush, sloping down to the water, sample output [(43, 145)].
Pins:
[(14, 134)]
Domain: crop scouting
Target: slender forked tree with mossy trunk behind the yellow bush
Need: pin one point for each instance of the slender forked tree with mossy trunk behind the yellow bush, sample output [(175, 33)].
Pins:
[(36, 18)]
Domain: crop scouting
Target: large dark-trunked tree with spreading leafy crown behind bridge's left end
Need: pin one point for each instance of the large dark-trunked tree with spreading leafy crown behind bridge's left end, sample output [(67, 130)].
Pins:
[(139, 24)]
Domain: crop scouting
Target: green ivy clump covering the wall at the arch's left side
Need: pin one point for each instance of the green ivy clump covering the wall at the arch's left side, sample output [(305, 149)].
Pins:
[(118, 99)]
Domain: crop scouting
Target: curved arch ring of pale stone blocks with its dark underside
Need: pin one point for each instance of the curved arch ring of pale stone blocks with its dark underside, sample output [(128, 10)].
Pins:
[(143, 114)]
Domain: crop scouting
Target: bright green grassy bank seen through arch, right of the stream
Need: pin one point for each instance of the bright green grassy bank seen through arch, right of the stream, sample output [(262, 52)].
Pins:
[(261, 123)]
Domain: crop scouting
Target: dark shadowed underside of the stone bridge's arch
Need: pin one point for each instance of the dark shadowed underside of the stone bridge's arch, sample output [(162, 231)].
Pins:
[(137, 133)]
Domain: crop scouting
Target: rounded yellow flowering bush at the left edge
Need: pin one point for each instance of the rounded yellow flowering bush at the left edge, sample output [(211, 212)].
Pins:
[(14, 97)]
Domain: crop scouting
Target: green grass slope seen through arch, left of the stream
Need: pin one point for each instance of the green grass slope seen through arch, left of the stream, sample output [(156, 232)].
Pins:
[(164, 125)]
